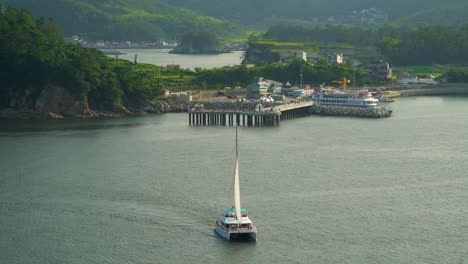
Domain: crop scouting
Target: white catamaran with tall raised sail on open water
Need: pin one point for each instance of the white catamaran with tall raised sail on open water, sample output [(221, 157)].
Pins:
[(234, 222)]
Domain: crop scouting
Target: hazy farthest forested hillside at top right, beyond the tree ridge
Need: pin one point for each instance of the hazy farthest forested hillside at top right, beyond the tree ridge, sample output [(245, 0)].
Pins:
[(268, 12)]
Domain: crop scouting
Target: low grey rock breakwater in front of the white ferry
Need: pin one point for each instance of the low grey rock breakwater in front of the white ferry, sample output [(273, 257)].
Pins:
[(379, 112)]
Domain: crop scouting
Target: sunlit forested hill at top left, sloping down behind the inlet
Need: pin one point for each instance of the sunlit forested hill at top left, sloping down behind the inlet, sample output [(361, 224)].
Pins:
[(137, 20)]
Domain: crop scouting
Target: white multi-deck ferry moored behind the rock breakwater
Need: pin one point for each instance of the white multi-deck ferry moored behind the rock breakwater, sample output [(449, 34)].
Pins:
[(362, 98)]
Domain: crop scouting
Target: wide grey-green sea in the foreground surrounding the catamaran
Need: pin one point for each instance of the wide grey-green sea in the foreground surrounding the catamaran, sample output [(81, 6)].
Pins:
[(320, 189)]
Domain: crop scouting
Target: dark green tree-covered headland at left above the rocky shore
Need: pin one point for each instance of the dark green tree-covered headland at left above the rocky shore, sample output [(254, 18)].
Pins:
[(33, 55)]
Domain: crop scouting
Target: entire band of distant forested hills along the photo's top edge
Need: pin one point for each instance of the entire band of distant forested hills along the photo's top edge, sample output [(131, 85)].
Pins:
[(149, 20)]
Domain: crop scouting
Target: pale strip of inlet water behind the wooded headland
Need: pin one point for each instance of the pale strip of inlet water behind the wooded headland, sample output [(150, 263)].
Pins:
[(162, 57)]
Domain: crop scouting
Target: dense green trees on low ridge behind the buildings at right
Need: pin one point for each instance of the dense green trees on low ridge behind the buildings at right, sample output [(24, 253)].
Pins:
[(400, 45)]
